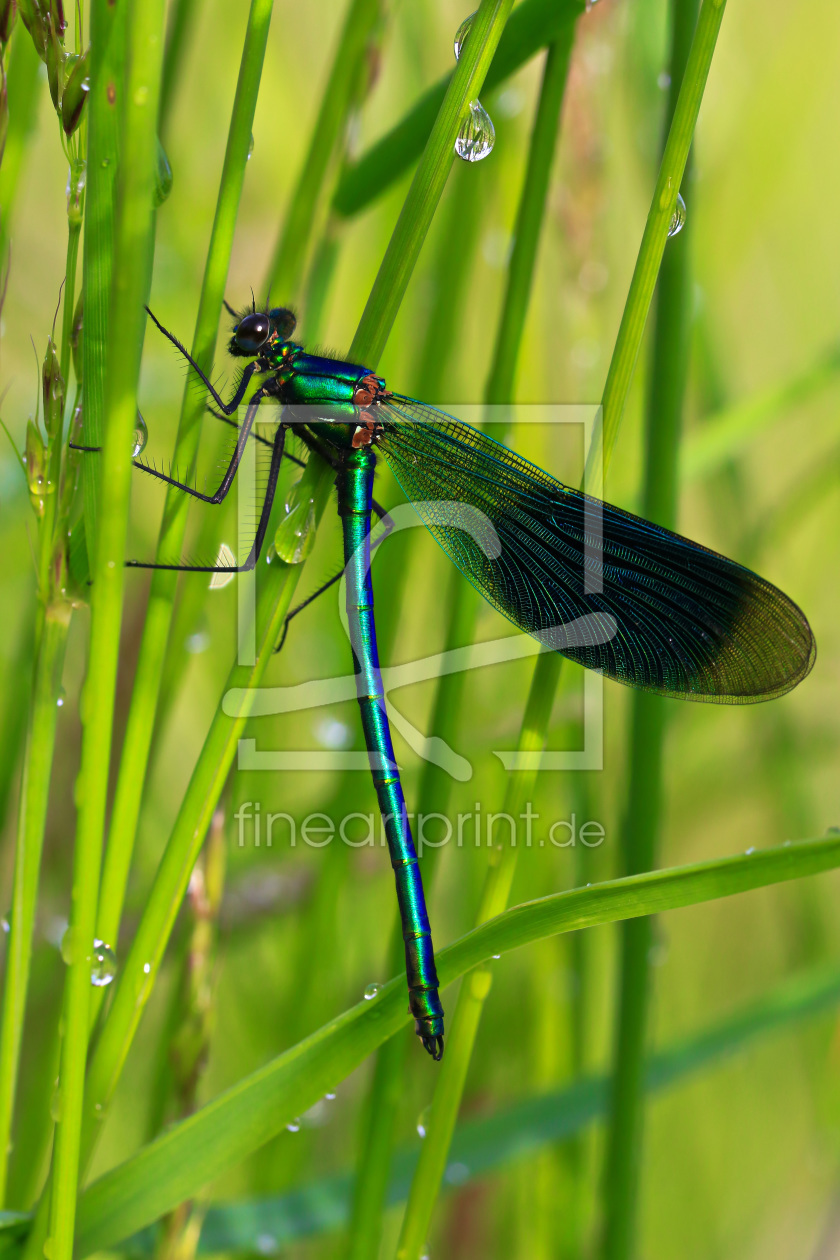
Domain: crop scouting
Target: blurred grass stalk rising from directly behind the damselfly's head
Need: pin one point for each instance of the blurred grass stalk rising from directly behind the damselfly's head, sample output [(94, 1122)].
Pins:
[(289, 264)]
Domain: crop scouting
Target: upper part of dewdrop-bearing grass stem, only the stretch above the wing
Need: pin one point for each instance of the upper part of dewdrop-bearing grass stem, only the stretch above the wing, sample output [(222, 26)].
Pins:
[(653, 246)]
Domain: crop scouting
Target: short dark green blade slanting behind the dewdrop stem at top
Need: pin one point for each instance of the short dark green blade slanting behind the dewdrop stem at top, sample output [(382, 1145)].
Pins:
[(533, 26)]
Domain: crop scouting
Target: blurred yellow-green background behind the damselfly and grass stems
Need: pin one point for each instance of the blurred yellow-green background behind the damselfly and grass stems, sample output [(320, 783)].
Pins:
[(744, 1160)]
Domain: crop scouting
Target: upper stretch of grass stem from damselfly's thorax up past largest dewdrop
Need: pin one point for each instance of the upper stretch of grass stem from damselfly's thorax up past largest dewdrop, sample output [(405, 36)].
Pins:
[(428, 186)]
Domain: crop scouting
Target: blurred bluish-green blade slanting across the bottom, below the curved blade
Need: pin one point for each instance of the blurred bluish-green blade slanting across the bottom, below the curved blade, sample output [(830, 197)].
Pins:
[(517, 1132)]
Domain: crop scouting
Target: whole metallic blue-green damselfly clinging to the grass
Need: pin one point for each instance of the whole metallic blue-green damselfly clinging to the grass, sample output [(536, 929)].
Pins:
[(609, 590)]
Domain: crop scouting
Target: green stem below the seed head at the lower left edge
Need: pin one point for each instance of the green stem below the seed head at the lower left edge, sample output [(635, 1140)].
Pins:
[(32, 822)]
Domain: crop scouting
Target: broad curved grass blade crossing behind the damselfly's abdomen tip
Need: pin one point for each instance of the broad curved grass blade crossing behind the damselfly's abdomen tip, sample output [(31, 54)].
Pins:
[(256, 1109)]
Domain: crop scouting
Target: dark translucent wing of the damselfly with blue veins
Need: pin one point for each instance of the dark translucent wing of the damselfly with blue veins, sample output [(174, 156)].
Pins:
[(604, 588)]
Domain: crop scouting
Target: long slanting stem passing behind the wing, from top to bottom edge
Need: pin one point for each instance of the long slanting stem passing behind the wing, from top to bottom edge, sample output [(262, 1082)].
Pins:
[(547, 673)]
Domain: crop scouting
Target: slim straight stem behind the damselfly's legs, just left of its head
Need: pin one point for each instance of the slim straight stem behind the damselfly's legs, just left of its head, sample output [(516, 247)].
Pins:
[(162, 595)]
